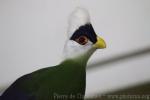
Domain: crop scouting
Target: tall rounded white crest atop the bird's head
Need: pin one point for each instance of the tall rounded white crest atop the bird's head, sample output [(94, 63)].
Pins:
[(80, 16)]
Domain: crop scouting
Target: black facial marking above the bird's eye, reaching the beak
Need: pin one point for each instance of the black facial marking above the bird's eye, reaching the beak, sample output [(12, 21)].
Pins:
[(86, 30)]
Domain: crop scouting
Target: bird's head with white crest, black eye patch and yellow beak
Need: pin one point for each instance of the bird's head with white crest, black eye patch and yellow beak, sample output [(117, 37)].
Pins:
[(82, 40)]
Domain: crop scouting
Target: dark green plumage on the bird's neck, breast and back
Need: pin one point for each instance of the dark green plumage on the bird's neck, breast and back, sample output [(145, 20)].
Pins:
[(65, 81)]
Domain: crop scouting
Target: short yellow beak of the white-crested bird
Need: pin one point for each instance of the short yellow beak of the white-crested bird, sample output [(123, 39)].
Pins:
[(100, 44)]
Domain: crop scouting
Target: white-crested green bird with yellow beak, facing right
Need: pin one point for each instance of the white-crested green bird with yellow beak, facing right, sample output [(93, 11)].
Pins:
[(67, 80)]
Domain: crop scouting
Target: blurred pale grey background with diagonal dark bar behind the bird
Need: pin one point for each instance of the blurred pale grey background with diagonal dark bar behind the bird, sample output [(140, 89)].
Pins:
[(33, 33)]
